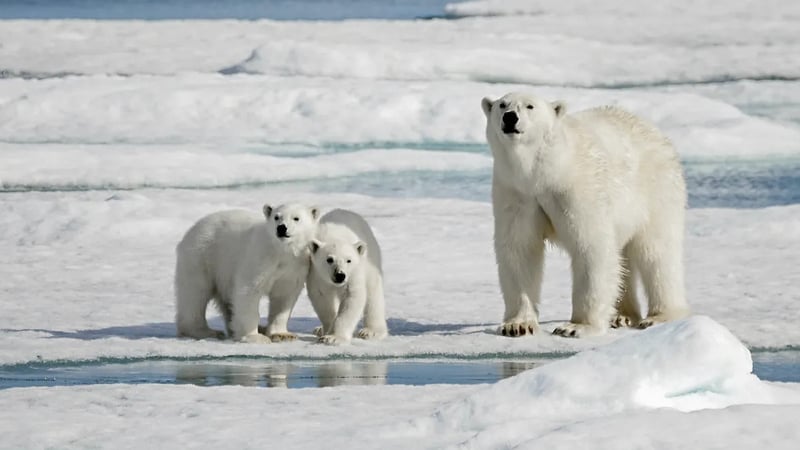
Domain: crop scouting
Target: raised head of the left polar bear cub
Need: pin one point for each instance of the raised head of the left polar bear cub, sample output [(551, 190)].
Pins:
[(293, 224)]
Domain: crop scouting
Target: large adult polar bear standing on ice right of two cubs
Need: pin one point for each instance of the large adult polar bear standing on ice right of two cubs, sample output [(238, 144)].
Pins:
[(604, 185)]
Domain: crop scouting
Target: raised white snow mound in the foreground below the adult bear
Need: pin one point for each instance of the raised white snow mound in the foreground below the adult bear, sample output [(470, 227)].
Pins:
[(687, 365)]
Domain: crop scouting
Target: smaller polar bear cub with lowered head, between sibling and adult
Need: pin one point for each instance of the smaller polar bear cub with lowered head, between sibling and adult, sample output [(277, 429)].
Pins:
[(346, 278)]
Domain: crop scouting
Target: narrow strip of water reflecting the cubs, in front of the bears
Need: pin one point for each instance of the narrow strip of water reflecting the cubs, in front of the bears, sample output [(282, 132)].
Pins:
[(772, 366)]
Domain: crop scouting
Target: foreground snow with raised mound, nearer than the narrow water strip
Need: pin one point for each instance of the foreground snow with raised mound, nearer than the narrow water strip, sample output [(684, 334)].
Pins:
[(682, 383)]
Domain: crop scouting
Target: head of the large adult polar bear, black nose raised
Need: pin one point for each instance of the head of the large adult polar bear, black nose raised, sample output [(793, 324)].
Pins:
[(519, 117)]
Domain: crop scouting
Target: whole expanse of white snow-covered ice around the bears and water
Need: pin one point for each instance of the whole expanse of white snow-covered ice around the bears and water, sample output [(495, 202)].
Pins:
[(115, 136)]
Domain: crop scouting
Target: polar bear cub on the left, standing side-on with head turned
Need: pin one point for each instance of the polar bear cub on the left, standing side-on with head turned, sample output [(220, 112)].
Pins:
[(235, 258)]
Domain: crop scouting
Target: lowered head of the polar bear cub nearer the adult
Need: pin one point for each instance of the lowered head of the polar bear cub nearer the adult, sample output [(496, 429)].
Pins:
[(336, 256)]
